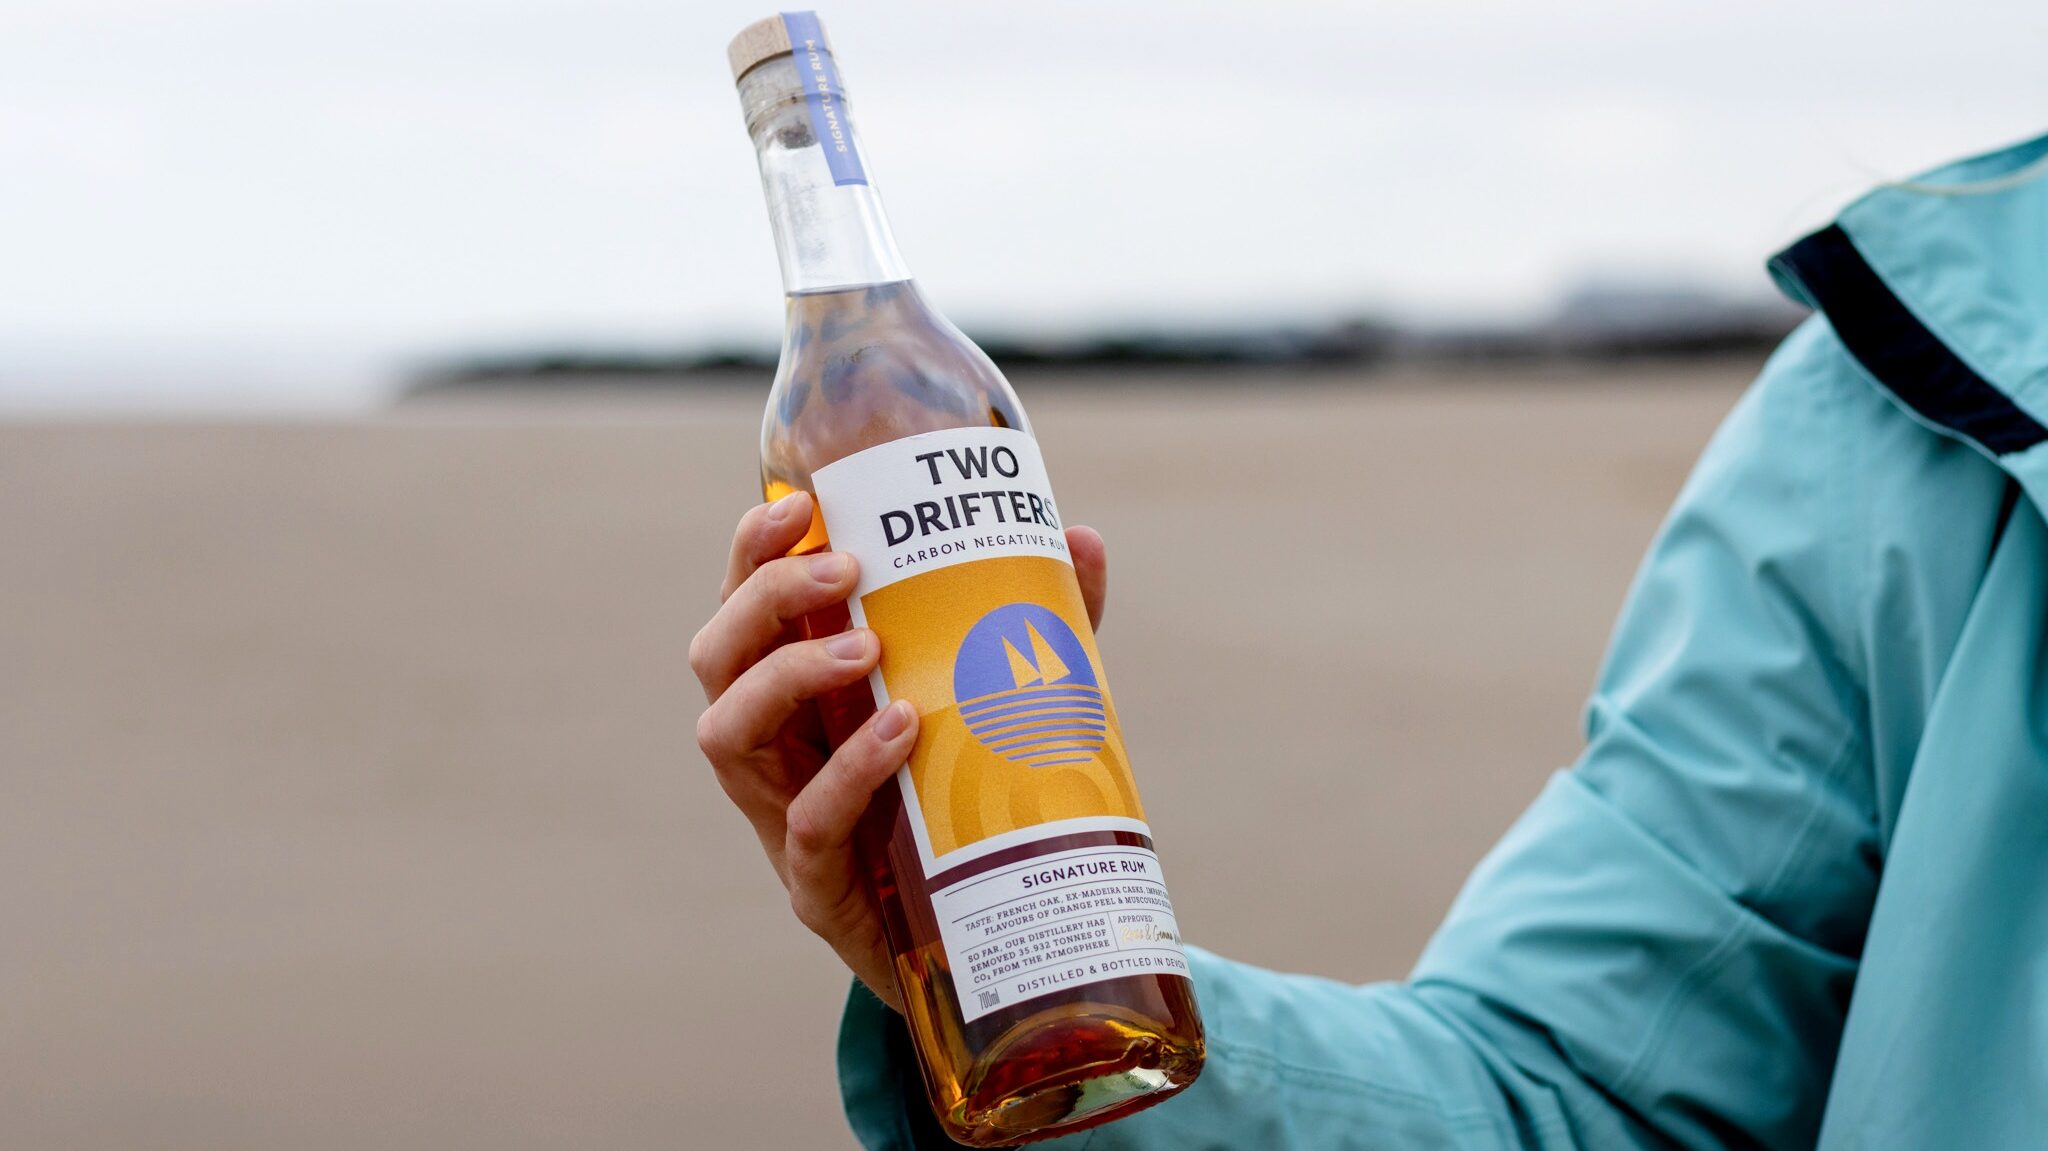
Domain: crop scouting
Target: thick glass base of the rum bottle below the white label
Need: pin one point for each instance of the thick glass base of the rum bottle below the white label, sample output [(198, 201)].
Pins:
[(1037, 1089)]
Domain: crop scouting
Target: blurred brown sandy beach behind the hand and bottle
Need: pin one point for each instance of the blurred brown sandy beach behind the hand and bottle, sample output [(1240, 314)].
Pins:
[(347, 773)]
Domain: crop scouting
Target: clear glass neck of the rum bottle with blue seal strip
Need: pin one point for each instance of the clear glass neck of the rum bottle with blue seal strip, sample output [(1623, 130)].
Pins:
[(828, 222)]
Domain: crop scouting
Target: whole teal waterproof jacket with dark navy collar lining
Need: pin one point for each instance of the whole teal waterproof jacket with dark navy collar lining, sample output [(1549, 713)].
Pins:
[(1795, 894)]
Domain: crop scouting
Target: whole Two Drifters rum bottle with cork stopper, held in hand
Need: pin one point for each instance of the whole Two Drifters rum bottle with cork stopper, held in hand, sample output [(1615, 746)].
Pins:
[(1035, 947)]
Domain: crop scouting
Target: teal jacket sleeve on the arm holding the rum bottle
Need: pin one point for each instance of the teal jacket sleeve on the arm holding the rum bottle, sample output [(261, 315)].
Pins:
[(1660, 953)]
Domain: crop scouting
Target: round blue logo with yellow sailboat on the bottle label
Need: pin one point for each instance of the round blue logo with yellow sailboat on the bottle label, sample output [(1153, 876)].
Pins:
[(1029, 691)]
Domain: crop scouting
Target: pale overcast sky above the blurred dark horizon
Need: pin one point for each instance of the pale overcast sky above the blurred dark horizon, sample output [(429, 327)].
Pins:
[(286, 204)]
